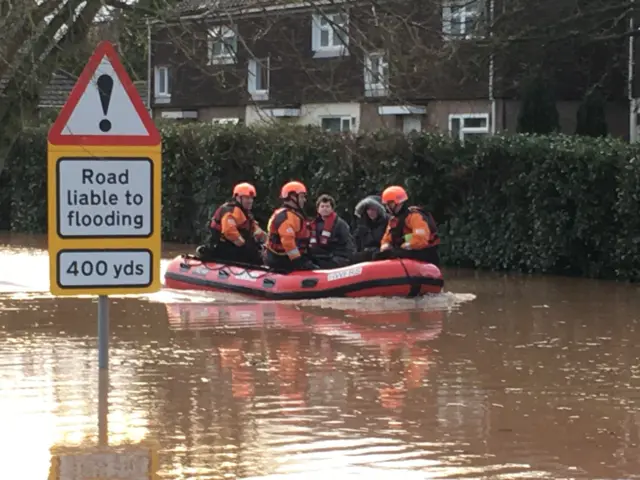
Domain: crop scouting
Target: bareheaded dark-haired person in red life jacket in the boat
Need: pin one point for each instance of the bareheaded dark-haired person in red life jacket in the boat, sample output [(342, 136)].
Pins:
[(331, 244)]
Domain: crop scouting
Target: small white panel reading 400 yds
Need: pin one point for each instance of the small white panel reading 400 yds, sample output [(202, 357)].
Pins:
[(104, 268)]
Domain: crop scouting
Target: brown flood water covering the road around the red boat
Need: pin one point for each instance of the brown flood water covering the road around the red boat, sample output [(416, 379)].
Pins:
[(499, 377)]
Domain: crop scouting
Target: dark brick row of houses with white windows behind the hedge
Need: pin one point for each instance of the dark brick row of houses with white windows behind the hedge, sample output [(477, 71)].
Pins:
[(359, 66)]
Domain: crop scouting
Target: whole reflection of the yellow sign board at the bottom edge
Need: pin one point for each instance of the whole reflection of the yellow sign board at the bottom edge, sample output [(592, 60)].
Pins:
[(130, 462)]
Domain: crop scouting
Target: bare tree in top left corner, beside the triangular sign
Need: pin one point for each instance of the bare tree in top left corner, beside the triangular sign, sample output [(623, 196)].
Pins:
[(37, 35)]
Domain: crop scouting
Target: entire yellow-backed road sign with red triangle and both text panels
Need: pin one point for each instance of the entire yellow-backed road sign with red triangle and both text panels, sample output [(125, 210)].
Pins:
[(104, 186)]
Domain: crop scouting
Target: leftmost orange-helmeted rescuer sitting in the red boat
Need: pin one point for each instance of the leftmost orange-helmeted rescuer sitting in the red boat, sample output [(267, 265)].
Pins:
[(235, 236)]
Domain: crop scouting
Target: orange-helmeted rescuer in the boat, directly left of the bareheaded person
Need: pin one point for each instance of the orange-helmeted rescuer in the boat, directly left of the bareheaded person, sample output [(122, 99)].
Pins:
[(288, 232)]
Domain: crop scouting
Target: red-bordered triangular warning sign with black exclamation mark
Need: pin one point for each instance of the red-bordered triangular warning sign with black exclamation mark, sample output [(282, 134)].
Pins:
[(104, 107)]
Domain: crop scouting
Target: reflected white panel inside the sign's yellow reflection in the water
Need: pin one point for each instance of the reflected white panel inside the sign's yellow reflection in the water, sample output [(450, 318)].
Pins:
[(105, 466)]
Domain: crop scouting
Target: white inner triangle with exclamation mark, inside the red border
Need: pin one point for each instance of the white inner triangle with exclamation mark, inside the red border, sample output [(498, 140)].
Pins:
[(105, 108)]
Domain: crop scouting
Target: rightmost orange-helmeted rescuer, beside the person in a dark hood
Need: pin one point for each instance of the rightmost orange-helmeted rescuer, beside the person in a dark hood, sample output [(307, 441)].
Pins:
[(411, 231)]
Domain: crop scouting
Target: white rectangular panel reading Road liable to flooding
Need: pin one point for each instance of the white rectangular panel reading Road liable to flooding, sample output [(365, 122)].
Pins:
[(105, 197)]
